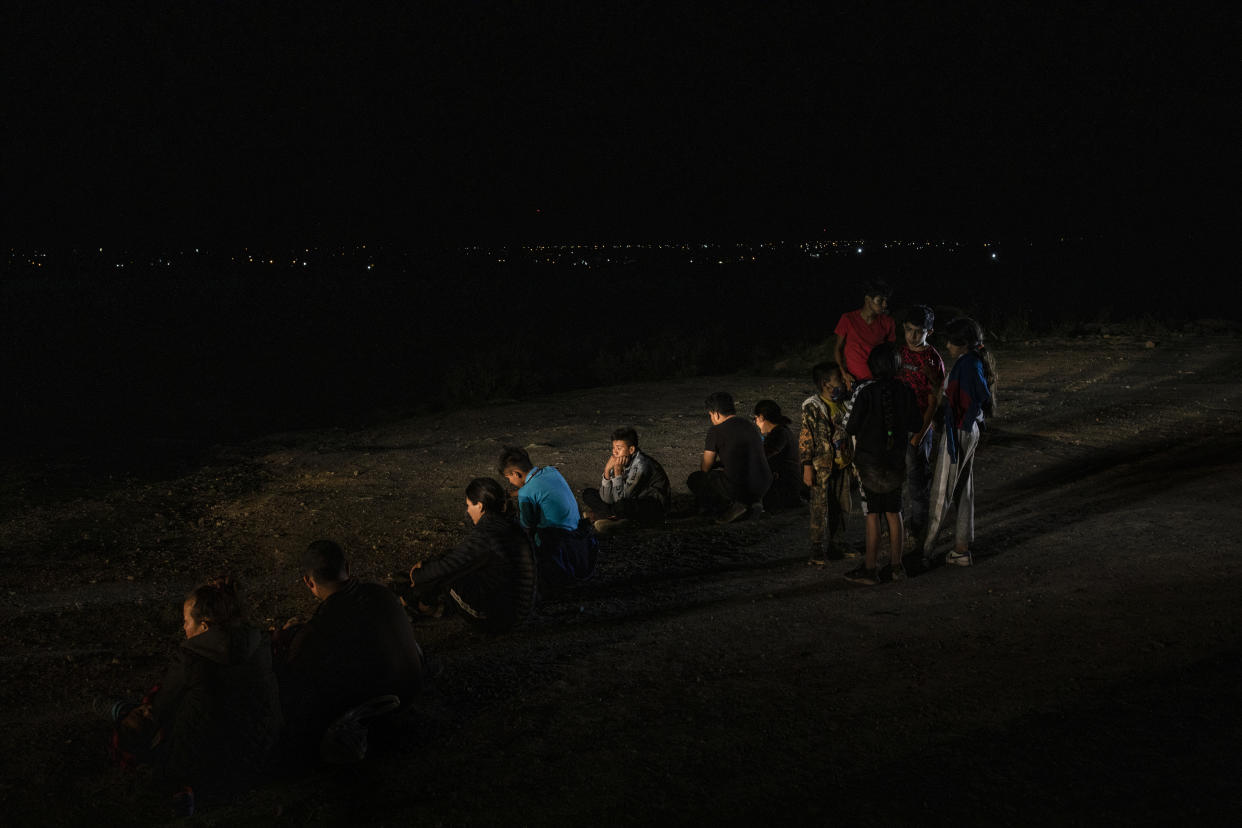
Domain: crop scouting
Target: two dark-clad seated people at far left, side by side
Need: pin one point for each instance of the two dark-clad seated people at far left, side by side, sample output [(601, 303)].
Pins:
[(234, 696)]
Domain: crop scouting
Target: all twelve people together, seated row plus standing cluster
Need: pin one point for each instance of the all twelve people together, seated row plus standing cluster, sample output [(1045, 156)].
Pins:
[(886, 425)]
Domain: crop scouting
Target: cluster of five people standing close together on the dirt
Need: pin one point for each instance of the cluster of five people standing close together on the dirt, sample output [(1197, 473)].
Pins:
[(877, 418)]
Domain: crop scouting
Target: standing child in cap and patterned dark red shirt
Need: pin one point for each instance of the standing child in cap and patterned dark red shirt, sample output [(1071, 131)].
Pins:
[(923, 372)]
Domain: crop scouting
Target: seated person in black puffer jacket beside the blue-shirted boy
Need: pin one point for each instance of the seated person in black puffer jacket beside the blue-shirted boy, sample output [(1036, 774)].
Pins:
[(491, 575)]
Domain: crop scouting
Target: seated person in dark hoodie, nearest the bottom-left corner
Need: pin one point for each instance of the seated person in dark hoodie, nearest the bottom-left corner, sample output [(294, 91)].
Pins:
[(213, 721)]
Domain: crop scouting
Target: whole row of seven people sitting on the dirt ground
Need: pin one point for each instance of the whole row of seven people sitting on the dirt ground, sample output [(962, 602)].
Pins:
[(235, 695)]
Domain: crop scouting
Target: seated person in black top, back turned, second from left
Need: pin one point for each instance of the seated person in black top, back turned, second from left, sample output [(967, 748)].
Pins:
[(358, 645)]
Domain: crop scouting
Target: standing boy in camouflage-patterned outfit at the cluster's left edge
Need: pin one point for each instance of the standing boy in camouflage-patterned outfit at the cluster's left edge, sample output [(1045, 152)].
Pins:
[(825, 456)]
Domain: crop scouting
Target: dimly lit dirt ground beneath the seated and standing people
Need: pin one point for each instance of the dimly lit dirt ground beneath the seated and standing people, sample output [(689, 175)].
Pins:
[(1086, 671)]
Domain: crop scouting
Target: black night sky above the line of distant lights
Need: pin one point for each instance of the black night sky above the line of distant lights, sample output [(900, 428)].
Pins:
[(178, 122)]
